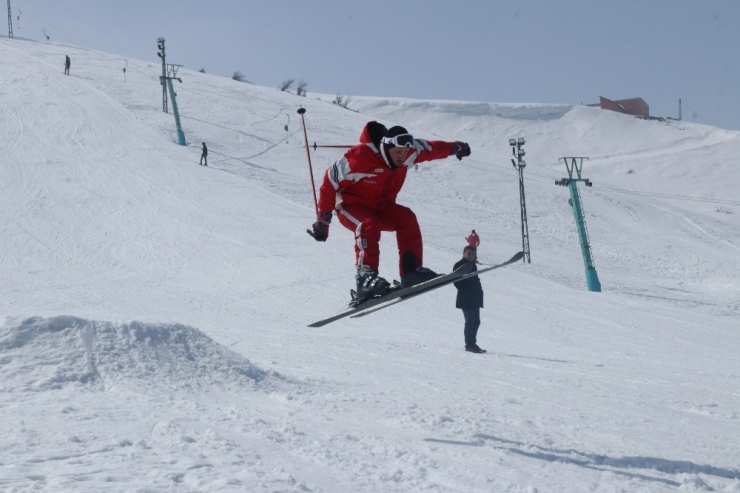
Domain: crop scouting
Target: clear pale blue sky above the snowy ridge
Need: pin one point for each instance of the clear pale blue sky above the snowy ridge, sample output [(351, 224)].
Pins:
[(567, 51)]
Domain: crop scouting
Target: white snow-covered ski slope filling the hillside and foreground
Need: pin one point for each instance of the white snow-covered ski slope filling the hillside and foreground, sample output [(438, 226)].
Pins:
[(154, 312)]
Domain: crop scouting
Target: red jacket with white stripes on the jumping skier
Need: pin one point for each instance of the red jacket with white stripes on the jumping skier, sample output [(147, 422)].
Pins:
[(362, 176)]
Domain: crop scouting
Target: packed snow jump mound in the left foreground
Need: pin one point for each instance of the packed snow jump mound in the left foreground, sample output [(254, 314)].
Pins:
[(40, 354)]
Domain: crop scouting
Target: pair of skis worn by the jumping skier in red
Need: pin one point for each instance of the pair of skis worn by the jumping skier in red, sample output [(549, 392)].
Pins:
[(402, 294)]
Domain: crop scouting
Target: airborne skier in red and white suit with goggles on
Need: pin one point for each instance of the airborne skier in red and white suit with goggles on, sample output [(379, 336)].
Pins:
[(362, 187)]
